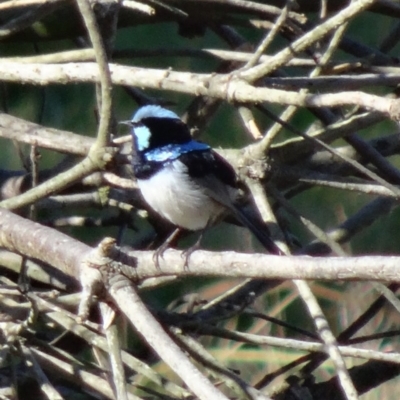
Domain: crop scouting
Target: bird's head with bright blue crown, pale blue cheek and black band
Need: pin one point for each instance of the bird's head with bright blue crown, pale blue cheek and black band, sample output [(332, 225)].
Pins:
[(154, 127)]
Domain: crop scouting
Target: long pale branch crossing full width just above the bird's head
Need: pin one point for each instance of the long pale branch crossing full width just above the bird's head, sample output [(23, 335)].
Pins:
[(219, 86)]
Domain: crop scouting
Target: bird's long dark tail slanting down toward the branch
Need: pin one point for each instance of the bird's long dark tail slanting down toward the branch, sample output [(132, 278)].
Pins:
[(258, 228)]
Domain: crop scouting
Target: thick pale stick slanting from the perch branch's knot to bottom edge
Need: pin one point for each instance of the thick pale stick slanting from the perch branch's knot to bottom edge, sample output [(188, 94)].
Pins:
[(128, 300)]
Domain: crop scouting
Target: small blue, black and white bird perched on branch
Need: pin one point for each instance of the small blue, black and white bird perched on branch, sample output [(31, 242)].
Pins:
[(184, 180)]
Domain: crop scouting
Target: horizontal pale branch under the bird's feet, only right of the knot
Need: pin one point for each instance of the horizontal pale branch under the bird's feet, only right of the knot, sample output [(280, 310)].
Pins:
[(257, 265)]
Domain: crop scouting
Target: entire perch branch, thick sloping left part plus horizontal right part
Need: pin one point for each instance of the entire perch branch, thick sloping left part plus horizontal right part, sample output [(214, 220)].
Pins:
[(65, 254)]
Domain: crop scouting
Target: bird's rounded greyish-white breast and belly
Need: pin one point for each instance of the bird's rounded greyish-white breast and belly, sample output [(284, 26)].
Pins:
[(172, 194)]
